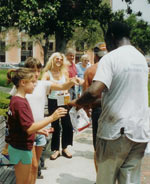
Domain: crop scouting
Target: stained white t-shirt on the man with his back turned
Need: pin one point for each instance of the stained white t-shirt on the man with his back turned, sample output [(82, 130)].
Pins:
[(124, 71)]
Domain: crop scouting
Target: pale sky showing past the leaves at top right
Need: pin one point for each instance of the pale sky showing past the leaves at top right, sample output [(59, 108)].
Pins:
[(137, 5)]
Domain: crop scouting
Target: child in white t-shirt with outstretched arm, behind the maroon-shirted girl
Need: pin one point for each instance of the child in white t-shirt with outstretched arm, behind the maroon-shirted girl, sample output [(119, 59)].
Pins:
[(37, 102)]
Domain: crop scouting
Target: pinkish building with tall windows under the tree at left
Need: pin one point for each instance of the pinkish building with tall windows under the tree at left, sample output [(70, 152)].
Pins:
[(15, 47)]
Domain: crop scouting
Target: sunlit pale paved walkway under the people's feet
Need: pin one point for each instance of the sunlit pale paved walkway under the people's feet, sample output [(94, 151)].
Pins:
[(80, 169)]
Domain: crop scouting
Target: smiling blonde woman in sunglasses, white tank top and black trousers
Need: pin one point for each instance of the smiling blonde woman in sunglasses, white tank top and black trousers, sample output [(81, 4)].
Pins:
[(56, 71)]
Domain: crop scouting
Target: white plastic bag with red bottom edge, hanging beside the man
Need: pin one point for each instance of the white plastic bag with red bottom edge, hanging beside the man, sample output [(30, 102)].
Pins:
[(79, 119)]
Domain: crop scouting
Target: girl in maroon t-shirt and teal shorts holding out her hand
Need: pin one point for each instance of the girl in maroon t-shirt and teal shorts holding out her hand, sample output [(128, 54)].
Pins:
[(21, 124)]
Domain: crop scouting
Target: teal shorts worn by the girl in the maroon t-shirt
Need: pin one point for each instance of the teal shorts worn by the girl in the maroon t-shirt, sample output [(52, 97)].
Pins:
[(17, 155)]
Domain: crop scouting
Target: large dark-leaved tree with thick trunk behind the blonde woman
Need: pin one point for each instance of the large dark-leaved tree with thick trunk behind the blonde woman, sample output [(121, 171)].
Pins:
[(59, 17)]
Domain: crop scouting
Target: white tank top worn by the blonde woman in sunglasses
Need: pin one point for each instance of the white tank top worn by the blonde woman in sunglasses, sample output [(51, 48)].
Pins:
[(53, 94)]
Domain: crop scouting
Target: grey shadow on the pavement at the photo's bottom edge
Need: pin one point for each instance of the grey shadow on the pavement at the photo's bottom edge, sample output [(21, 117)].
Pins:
[(70, 179)]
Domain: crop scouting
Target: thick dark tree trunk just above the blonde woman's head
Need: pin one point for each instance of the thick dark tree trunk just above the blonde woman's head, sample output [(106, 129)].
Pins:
[(60, 42)]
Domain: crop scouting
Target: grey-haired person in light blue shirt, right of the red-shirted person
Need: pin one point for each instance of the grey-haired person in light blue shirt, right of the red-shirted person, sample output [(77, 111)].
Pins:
[(81, 68)]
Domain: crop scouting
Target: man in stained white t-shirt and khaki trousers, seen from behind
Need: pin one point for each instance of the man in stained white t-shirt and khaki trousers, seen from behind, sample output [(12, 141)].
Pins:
[(123, 130)]
